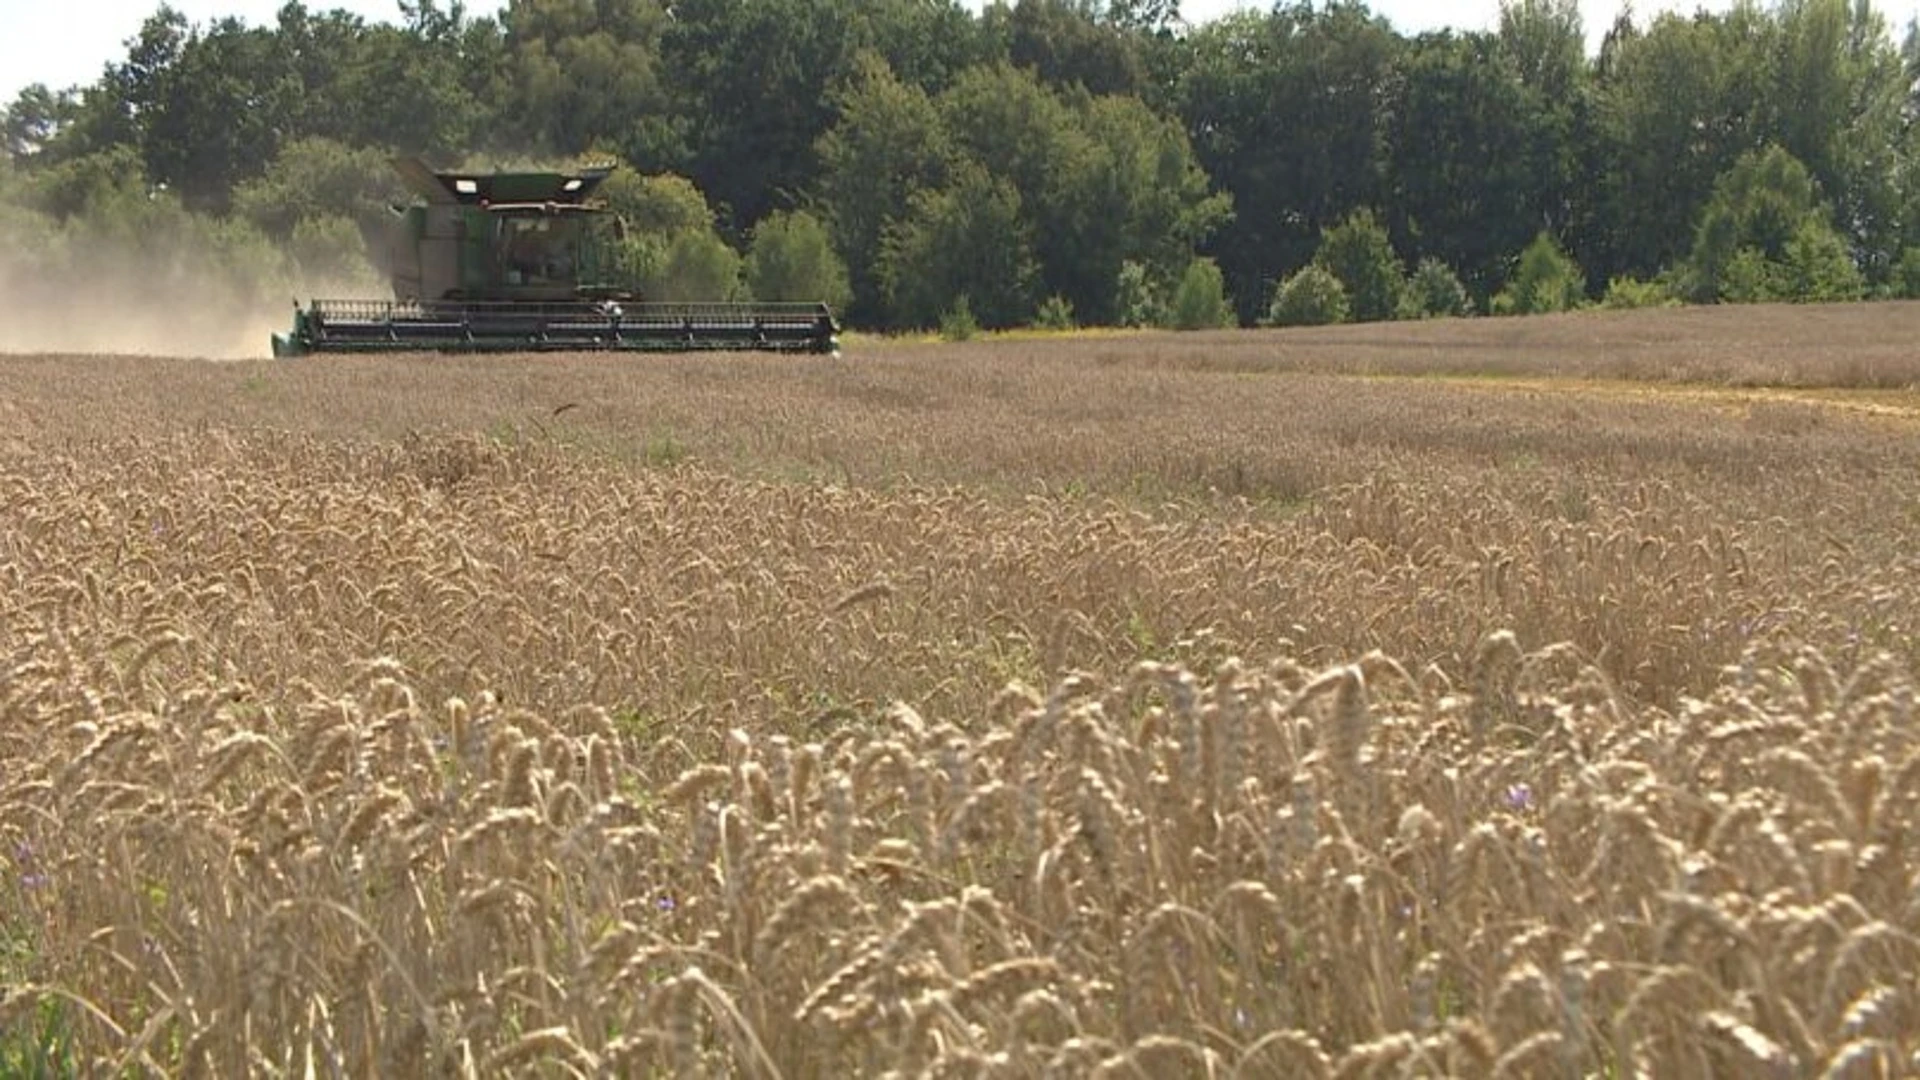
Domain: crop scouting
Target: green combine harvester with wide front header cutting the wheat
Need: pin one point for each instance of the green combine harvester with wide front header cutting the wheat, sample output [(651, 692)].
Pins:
[(521, 262)]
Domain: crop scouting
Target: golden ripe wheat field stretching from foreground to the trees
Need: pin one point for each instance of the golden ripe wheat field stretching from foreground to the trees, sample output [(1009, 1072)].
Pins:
[(1497, 699)]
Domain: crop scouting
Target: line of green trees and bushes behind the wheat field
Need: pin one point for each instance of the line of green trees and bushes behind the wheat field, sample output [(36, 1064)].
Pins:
[(1055, 162)]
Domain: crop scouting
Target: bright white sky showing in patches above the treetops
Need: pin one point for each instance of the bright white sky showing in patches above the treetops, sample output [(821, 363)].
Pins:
[(66, 45)]
